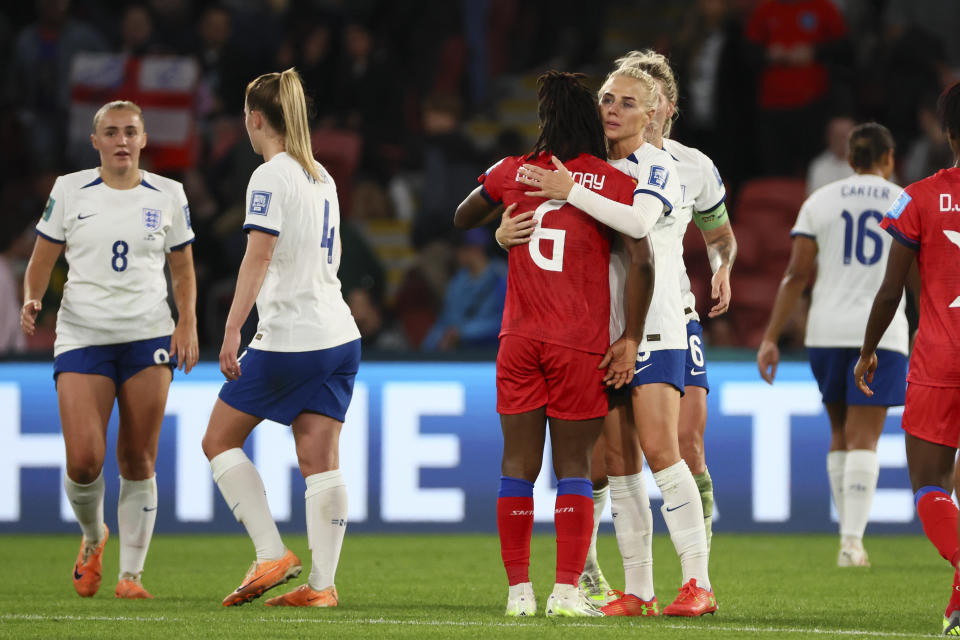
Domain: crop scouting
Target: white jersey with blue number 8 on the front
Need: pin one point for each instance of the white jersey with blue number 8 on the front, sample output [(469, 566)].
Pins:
[(116, 243)]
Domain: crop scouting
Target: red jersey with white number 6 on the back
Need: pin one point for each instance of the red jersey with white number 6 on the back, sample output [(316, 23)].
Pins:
[(558, 287)]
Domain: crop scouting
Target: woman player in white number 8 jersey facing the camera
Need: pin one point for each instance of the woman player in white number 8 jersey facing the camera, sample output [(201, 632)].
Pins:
[(116, 338)]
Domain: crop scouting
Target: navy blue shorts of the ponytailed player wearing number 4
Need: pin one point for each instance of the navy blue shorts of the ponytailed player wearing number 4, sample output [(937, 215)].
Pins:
[(279, 386)]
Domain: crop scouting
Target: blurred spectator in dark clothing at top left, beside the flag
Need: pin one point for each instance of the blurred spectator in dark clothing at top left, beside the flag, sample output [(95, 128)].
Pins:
[(38, 78)]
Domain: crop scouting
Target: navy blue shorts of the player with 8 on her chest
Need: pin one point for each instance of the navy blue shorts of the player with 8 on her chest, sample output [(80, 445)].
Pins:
[(119, 362)]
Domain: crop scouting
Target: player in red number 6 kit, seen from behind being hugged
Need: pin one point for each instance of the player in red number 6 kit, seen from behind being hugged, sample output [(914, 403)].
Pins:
[(553, 339)]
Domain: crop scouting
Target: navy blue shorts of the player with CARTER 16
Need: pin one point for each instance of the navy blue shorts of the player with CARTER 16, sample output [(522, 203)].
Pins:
[(833, 369)]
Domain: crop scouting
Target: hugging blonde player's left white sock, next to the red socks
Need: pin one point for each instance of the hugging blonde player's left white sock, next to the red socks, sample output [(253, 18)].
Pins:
[(633, 523)]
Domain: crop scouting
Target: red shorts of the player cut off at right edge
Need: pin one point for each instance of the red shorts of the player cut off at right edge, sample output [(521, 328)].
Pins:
[(933, 414)]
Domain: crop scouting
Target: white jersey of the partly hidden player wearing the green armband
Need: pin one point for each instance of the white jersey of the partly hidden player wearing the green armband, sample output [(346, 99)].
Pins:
[(702, 191)]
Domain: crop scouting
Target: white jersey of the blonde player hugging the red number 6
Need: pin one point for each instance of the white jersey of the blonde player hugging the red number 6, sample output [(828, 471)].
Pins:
[(665, 327)]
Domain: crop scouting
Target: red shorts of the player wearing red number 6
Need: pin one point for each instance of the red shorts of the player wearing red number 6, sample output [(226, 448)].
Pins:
[(531, 374)]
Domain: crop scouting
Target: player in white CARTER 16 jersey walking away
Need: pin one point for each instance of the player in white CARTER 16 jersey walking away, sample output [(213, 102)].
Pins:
[(837, 236)]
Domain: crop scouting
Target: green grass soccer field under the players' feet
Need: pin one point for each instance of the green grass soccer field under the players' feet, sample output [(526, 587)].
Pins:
[(453, 586)]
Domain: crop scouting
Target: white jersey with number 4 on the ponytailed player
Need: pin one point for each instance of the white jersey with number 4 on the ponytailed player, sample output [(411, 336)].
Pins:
[(300, 304)]
